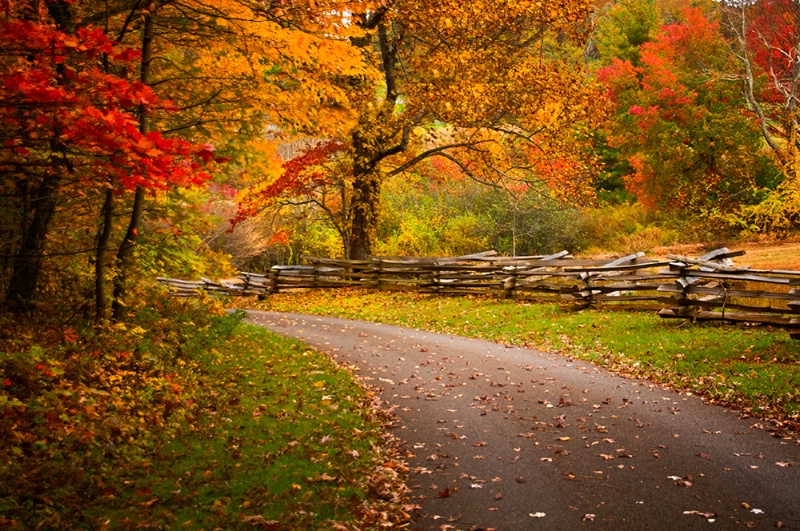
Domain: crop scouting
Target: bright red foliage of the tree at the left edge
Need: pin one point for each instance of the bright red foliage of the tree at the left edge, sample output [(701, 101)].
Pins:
[(55, 97)]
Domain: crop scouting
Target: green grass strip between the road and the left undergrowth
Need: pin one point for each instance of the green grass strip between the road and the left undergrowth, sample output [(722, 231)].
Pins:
[(283, 441)]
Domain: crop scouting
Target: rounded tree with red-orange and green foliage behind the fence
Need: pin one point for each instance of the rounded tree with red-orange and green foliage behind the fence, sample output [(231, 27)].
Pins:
[(681, 126)]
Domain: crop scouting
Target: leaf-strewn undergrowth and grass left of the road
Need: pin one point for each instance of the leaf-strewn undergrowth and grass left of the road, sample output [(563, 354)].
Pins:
[(188, 418)]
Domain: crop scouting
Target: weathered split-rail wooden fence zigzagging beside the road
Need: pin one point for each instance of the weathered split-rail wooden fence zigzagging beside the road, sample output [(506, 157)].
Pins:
[(709, 287)]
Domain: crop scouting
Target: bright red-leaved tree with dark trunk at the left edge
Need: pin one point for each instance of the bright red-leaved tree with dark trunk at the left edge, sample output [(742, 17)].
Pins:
[(68, 127)]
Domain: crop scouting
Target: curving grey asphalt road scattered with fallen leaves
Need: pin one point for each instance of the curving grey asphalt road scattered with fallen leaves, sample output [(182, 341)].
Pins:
[(512, 438)]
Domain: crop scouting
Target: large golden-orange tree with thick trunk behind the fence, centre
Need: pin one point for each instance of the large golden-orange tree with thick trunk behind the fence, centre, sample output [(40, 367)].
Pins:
[(495, 88)]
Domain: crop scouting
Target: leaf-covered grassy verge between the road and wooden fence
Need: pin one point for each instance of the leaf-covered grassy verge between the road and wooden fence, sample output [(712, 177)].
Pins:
[(756, 369)]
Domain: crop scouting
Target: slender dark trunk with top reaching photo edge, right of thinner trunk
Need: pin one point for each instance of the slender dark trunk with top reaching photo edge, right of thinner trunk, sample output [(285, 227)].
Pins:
[(124, 259)]
